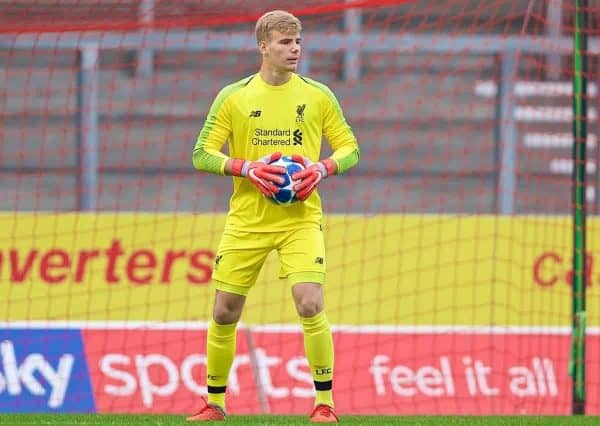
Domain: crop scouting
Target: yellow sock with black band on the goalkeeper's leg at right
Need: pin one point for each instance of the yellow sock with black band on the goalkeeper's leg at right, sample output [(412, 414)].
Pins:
[(318, 346)]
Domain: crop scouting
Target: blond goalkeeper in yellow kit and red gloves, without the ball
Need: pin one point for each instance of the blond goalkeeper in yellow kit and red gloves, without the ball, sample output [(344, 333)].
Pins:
[(272, 113)]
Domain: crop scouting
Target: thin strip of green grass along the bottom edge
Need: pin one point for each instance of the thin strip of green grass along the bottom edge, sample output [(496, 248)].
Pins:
[(158, 420)]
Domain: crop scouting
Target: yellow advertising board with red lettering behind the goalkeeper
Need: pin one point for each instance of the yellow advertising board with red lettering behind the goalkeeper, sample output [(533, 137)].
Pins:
[(387, 269)]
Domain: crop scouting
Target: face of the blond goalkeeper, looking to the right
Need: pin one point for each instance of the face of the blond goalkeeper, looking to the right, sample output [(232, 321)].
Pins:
[(281, 51)]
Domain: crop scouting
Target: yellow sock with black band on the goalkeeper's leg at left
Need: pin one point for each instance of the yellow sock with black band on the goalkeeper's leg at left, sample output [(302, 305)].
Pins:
[(220, 351)]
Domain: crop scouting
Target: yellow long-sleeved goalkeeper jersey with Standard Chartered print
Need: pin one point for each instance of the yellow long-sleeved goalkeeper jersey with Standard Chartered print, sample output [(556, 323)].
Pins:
[(257, 119)]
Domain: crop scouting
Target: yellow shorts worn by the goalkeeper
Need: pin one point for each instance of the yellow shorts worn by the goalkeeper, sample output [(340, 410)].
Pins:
[(241, 255)]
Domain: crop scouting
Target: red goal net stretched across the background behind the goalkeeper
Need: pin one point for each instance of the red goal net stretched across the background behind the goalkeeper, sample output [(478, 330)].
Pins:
[(449, 245)]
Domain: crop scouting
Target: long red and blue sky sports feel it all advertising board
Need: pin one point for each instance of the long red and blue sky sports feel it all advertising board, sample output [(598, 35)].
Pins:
[(141, 370)]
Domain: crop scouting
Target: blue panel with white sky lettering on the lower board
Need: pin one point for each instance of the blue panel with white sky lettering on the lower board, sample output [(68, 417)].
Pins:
[(43, 371)]
